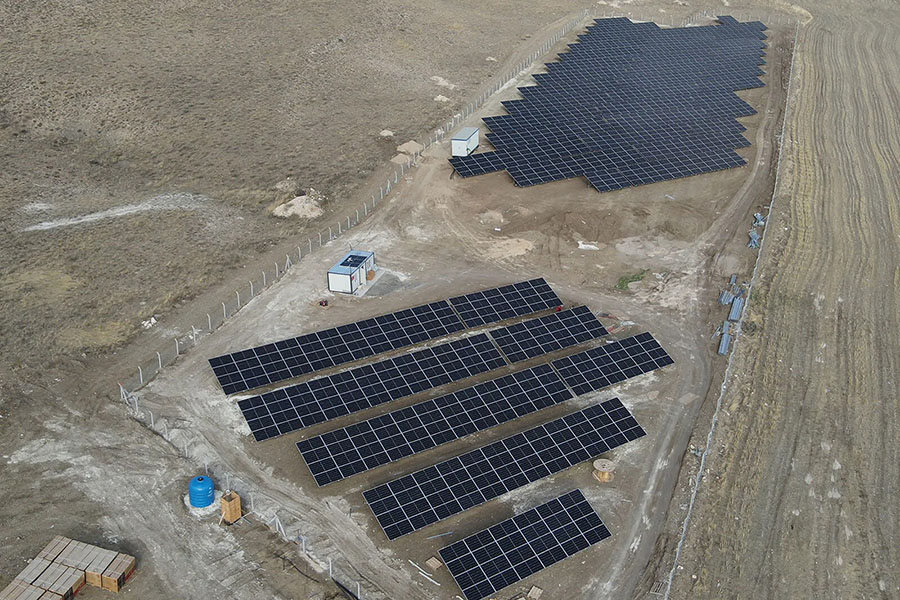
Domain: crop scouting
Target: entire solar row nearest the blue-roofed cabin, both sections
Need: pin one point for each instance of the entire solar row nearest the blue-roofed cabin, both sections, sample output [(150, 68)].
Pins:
[(312, 352)]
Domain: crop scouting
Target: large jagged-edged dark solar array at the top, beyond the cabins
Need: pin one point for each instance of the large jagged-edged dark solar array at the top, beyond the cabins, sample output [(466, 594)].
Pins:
[(630, 104)]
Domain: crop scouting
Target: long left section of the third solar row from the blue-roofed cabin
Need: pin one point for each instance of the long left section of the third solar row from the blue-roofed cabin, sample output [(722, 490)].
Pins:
[(362, 446)]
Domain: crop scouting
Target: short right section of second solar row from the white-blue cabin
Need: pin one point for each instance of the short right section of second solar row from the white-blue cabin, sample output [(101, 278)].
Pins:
[(539, 336)]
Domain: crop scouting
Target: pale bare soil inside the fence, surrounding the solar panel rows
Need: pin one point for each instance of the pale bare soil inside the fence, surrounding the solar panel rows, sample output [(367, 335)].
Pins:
[(438, 236)]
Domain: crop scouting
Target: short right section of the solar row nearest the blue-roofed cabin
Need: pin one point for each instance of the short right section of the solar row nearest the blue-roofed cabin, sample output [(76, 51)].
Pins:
[(490, 306)]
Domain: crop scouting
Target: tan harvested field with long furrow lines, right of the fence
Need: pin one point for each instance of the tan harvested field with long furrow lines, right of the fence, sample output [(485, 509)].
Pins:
[(800, 496)]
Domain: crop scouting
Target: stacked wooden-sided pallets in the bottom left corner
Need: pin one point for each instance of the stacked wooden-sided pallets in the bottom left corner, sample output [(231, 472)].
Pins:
[(64, 566)]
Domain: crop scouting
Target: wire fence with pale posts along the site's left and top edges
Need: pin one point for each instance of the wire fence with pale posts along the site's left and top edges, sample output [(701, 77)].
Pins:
[(286, 523)]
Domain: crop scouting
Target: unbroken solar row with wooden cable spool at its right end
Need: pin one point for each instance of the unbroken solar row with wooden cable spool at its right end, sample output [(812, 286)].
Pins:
[(414, 501)]
